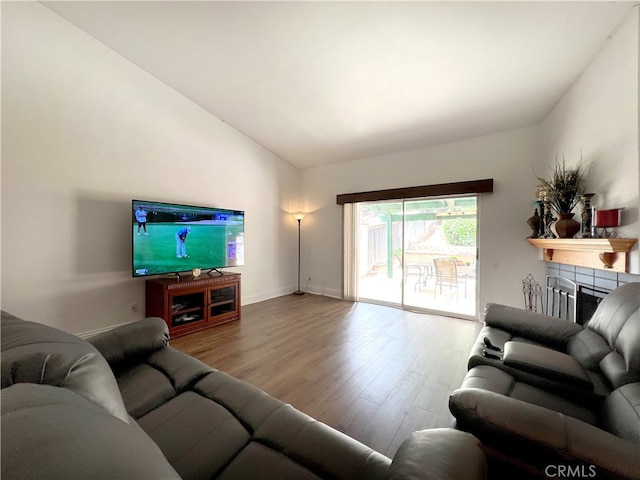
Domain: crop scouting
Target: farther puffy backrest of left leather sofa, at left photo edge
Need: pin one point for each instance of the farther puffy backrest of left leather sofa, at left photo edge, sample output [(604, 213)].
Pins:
[(36, 353)]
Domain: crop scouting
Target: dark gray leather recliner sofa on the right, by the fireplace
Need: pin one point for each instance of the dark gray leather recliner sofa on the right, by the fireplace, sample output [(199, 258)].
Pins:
[(550, 398)]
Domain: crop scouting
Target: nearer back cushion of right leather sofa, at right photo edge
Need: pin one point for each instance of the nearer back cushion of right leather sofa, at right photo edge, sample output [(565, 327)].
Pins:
[(622, 412)]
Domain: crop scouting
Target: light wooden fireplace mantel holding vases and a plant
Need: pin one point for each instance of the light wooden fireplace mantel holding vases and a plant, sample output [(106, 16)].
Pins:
[(599, 253)]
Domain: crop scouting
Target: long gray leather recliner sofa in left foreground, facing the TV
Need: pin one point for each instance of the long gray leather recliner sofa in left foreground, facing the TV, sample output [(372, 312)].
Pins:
[(129, 406)]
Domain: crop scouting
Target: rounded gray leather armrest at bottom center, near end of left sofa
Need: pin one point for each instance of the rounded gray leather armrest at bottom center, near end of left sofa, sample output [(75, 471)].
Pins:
[(441, 453)]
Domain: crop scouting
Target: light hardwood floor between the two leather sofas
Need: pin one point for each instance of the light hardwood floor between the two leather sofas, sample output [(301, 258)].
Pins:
[(373, 372)]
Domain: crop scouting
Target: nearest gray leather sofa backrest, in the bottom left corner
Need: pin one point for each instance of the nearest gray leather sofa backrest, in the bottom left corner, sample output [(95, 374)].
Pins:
[(53, 433)]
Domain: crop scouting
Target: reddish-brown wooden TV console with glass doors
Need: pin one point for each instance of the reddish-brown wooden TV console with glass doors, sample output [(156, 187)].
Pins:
[(192, 304)]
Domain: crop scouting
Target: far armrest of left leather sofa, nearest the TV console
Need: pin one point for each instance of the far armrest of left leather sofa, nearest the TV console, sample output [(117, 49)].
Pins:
[(132, 341)]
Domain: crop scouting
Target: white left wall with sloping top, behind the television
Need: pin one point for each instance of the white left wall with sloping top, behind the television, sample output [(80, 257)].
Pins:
[(83, 132)]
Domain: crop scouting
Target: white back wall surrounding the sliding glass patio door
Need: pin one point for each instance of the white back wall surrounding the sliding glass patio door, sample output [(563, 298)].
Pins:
[(505, 257)]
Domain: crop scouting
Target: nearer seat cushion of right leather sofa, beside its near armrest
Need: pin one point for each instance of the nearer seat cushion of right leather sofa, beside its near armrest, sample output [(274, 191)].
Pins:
[(498, 381)]
